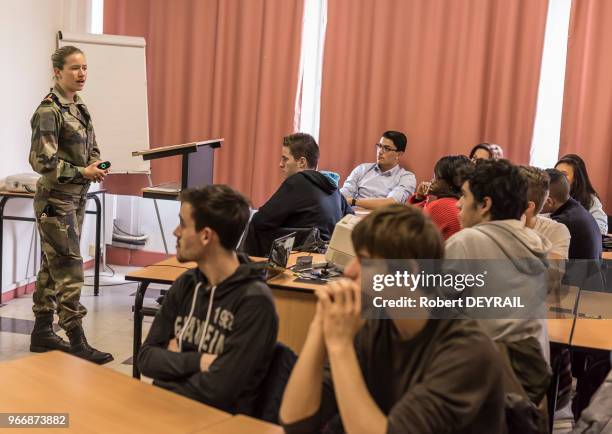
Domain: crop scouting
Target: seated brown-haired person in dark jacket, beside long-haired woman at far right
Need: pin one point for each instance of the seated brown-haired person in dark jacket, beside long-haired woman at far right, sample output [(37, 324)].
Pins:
[(585, 240)]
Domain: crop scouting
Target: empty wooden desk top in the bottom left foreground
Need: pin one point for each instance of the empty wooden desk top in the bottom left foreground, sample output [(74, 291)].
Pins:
[(97, 399)]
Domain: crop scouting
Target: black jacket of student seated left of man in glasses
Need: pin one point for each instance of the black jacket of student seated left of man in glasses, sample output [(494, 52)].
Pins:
[(307, 199)]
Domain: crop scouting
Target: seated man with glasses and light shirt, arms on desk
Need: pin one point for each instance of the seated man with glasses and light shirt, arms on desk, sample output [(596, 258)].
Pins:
[(374, 185)]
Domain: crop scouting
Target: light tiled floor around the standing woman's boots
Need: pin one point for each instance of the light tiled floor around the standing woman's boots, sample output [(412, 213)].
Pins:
[(108, 324)]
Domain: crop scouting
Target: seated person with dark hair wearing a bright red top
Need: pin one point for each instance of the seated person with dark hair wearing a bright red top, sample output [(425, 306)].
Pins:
[(439, 197)]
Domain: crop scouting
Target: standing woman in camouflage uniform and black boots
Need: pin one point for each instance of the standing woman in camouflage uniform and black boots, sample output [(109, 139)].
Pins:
[(64, 151)]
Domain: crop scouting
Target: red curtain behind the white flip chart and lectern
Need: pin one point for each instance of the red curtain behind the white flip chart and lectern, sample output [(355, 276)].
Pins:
[(218, 68)]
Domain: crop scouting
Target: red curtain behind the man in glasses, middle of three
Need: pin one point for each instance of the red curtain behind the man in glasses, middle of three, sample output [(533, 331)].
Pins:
[(449, 74)]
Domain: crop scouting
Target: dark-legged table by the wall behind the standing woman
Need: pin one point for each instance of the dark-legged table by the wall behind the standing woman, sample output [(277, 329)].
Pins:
[(7, 195)]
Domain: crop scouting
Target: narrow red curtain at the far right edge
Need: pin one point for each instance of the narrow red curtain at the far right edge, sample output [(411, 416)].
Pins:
[(586, 125)]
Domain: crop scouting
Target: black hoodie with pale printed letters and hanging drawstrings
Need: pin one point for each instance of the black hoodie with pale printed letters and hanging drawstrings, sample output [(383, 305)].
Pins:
[(242, 330)]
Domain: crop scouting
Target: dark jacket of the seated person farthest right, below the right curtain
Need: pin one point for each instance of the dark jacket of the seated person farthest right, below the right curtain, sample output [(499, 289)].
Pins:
[(586, 238)]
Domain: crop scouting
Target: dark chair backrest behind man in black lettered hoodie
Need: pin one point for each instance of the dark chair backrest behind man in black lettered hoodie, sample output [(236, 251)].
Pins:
[(273, 386)]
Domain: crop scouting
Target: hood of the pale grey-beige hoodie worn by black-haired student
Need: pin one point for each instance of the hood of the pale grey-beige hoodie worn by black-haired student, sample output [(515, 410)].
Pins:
[(526, 248)]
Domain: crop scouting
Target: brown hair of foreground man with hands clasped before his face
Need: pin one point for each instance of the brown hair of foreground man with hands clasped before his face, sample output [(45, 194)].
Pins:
[(414, 236)]
